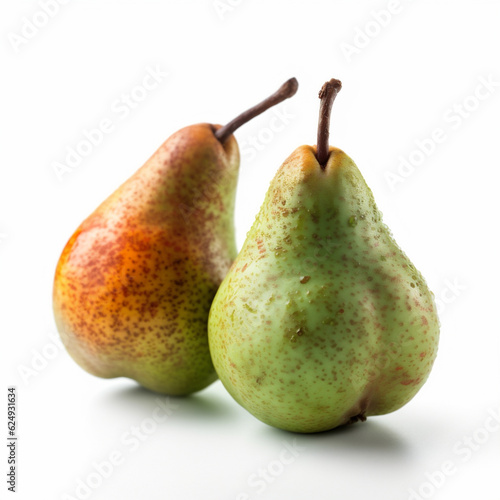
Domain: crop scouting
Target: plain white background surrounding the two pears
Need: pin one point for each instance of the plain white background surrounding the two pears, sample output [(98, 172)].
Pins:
[(411, 77)]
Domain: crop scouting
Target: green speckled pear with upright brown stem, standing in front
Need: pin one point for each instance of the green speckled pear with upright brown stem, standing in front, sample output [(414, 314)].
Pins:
[(322, 319)]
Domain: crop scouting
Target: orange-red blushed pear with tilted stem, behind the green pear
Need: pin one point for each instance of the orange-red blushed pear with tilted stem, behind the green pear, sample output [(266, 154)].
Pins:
[(134, 284)]
